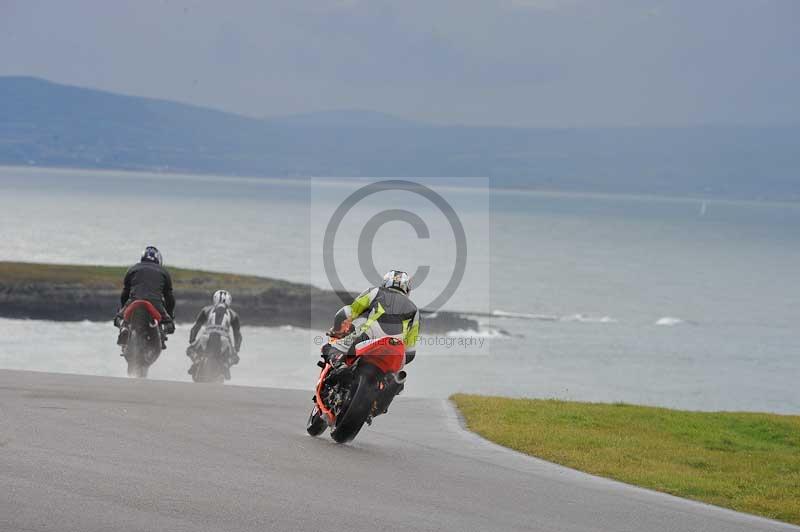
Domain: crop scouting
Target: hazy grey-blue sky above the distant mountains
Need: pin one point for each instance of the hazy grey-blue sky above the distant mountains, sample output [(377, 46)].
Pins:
[(502, 62)]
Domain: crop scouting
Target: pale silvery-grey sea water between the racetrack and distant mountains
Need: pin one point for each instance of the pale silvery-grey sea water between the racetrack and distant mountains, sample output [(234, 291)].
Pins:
[(677, 302)]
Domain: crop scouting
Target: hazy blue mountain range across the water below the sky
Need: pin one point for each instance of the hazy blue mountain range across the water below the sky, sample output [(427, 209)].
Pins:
[(47, 124)]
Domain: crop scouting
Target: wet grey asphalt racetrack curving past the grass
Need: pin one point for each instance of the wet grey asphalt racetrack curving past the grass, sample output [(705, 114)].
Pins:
[(83, 454)]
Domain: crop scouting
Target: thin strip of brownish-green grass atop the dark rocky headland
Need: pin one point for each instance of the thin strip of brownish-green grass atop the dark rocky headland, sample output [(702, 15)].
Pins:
[(21, 273)]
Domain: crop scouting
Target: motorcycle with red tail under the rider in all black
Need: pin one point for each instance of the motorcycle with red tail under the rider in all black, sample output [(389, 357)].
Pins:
[(144, 342)]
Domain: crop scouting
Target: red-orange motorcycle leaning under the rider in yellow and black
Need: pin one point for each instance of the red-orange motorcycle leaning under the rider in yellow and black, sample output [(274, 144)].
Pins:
[(356, 391)]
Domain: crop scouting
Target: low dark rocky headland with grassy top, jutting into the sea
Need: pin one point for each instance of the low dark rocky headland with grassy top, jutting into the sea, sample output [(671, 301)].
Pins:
[(77, 293)]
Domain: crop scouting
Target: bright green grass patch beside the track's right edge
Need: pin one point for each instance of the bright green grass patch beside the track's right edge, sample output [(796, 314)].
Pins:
[(745, 461)]
